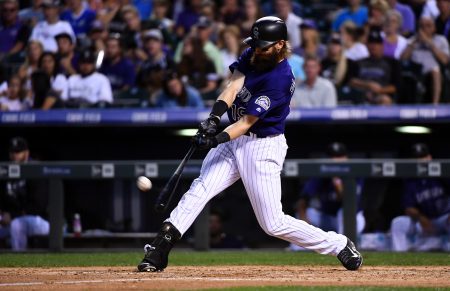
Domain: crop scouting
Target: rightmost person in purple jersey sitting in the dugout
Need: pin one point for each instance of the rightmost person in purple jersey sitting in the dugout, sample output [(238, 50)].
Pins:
[(426, 203)]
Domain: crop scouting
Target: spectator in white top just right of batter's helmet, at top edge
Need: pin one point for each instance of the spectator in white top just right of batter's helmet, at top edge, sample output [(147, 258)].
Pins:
[(283, 9)]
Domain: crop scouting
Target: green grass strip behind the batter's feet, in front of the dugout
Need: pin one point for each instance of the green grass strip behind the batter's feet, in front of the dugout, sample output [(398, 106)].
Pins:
[(213, 258)]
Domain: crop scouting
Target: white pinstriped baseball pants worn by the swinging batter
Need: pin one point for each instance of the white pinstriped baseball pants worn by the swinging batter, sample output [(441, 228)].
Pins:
[(258, 162)]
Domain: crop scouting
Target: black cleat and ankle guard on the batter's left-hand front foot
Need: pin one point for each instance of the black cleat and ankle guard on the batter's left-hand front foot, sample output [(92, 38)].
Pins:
[(157, 254)]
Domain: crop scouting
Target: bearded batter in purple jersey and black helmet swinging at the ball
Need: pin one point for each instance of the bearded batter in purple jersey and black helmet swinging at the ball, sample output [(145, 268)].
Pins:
[(253, 149)]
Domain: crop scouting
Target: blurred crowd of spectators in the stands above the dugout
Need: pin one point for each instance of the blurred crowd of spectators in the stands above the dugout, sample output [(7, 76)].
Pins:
[(157, 53)]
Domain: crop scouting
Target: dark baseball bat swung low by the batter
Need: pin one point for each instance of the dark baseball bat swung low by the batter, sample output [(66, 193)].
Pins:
[(164, 197)]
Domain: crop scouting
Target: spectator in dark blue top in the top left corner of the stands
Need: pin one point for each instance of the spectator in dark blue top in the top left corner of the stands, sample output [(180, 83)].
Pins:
[(13, 32)]
